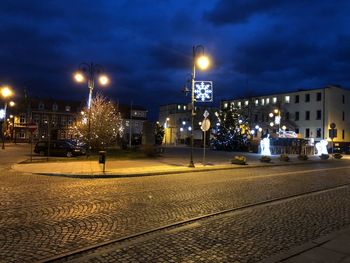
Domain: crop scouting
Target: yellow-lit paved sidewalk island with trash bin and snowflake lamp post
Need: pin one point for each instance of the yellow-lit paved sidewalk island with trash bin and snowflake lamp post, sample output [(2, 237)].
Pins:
[(170, 164)]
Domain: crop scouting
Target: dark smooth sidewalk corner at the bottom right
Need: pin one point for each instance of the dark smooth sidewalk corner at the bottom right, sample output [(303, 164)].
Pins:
[(333, 248)]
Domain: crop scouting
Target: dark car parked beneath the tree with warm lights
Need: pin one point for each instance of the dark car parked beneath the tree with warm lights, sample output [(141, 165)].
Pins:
[(59, 148)]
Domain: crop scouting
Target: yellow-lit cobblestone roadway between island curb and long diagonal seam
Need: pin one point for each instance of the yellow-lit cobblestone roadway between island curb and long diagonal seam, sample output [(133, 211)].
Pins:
[(41, 217)]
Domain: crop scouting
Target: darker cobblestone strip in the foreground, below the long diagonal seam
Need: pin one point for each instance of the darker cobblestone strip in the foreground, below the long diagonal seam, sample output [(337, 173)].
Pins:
[(249, 235)]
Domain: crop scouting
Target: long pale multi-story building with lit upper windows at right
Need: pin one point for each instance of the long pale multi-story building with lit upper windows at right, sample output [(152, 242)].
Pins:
[(308, 113)]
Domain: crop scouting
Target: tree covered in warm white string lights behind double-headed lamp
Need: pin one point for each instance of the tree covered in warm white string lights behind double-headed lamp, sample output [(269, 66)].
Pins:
[(105, 124)]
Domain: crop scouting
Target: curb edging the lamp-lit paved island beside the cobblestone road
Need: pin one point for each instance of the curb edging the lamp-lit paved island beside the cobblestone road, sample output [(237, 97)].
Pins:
[(190, 170)]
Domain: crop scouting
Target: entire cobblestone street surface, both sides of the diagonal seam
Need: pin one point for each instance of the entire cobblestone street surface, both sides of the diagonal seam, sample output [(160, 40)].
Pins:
[(43, 217)]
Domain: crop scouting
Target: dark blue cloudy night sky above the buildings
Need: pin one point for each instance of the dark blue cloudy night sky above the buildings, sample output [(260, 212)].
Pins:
[(257, 47)]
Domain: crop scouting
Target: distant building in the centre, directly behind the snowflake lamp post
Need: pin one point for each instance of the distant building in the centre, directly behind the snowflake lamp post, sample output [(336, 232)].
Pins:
[(176, 119)]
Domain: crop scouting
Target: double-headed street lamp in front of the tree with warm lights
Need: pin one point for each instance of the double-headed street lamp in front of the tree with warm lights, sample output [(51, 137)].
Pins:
[(87, 71)]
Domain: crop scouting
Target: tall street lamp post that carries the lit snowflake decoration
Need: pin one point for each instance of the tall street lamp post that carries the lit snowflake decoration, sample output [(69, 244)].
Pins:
[(202, 61)]
